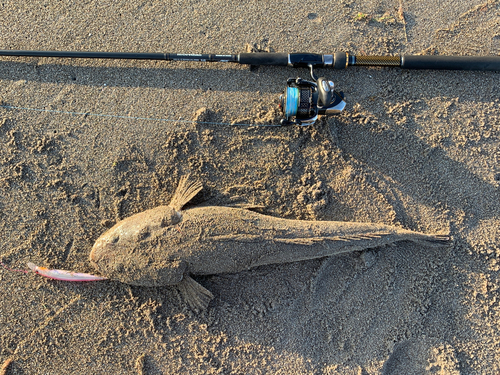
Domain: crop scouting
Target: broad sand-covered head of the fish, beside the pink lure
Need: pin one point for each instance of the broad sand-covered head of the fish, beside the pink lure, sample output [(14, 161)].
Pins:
[(126, 253)]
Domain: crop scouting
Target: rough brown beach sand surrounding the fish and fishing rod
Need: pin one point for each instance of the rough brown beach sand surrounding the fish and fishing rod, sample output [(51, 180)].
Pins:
[(419, 149)]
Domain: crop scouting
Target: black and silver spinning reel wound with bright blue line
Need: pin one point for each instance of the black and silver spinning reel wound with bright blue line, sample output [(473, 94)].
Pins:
[(302, 101)]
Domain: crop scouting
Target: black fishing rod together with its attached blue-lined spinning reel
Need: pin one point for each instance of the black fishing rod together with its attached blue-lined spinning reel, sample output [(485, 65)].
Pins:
[(302, 100)]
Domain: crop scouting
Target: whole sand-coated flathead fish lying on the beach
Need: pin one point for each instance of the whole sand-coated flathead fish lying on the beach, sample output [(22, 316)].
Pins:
[(164, 245)]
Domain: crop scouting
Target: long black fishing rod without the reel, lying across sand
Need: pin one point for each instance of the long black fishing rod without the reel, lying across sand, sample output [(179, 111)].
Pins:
[(338, 60)]
